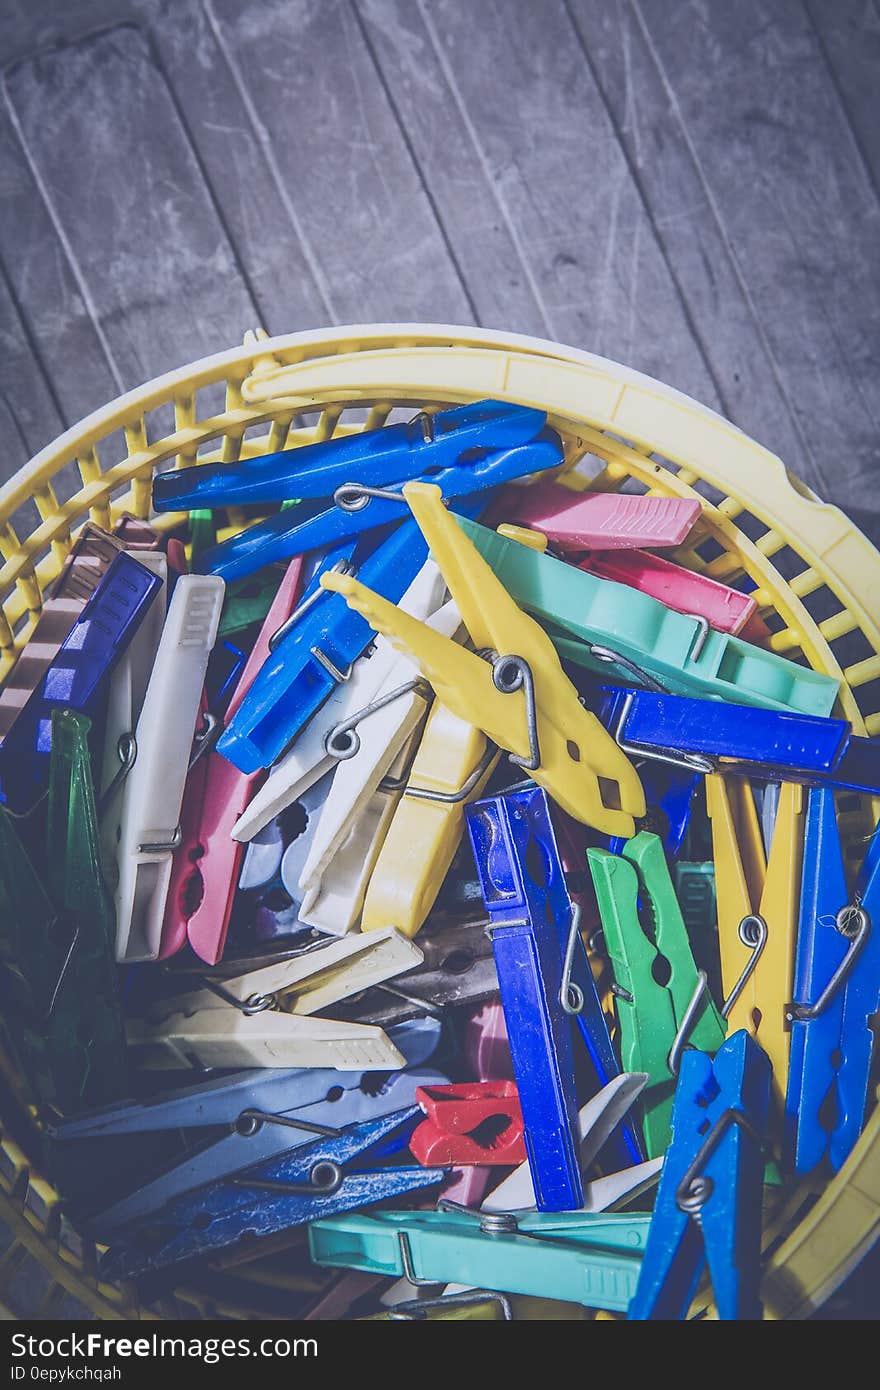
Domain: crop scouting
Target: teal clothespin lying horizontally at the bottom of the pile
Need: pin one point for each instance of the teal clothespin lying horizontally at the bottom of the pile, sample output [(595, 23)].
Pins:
[(575, 1257)]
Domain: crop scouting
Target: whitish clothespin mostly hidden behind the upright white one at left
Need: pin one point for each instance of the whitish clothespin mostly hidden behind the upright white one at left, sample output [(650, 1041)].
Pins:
[(126, 697)]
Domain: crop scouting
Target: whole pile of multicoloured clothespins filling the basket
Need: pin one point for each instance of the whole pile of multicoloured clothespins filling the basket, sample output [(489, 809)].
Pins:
[(469, 871)]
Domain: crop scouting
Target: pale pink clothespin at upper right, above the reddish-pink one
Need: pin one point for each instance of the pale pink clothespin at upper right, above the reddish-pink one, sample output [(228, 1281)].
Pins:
[(597, 521)]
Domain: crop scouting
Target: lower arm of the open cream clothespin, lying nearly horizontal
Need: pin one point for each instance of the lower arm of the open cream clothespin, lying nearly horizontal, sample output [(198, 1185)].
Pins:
[(226, 1038)]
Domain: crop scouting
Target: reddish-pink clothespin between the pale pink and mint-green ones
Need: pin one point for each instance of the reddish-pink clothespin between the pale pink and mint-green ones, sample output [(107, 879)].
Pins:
[(682, 590)]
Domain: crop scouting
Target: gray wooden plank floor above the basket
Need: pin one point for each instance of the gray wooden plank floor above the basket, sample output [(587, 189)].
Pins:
[(686, 186)]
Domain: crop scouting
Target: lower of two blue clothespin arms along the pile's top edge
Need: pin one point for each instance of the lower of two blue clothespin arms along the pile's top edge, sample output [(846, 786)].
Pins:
[(362, 507)]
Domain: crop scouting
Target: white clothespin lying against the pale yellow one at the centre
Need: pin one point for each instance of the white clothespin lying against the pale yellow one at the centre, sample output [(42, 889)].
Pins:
[(358, 779)]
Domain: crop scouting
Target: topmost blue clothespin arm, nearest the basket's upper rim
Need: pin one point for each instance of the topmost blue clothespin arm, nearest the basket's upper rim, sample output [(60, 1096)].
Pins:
[(377, 458)]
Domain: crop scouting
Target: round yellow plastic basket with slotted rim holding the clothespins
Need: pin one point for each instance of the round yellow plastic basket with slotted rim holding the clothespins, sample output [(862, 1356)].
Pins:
[(818, 586)]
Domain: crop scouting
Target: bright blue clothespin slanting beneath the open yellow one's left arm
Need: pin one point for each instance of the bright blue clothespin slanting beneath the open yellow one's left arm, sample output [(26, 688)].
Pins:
[(315, 657)]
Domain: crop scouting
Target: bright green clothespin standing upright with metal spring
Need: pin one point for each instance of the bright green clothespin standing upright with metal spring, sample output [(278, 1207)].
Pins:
[(655, 1020)]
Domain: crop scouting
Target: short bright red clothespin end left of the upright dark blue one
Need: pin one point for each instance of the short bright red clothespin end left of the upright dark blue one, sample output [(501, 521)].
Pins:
[(471, 1124)]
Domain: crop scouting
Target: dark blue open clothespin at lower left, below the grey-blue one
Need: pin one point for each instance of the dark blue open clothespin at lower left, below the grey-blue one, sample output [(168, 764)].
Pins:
[(312, 1182)]
